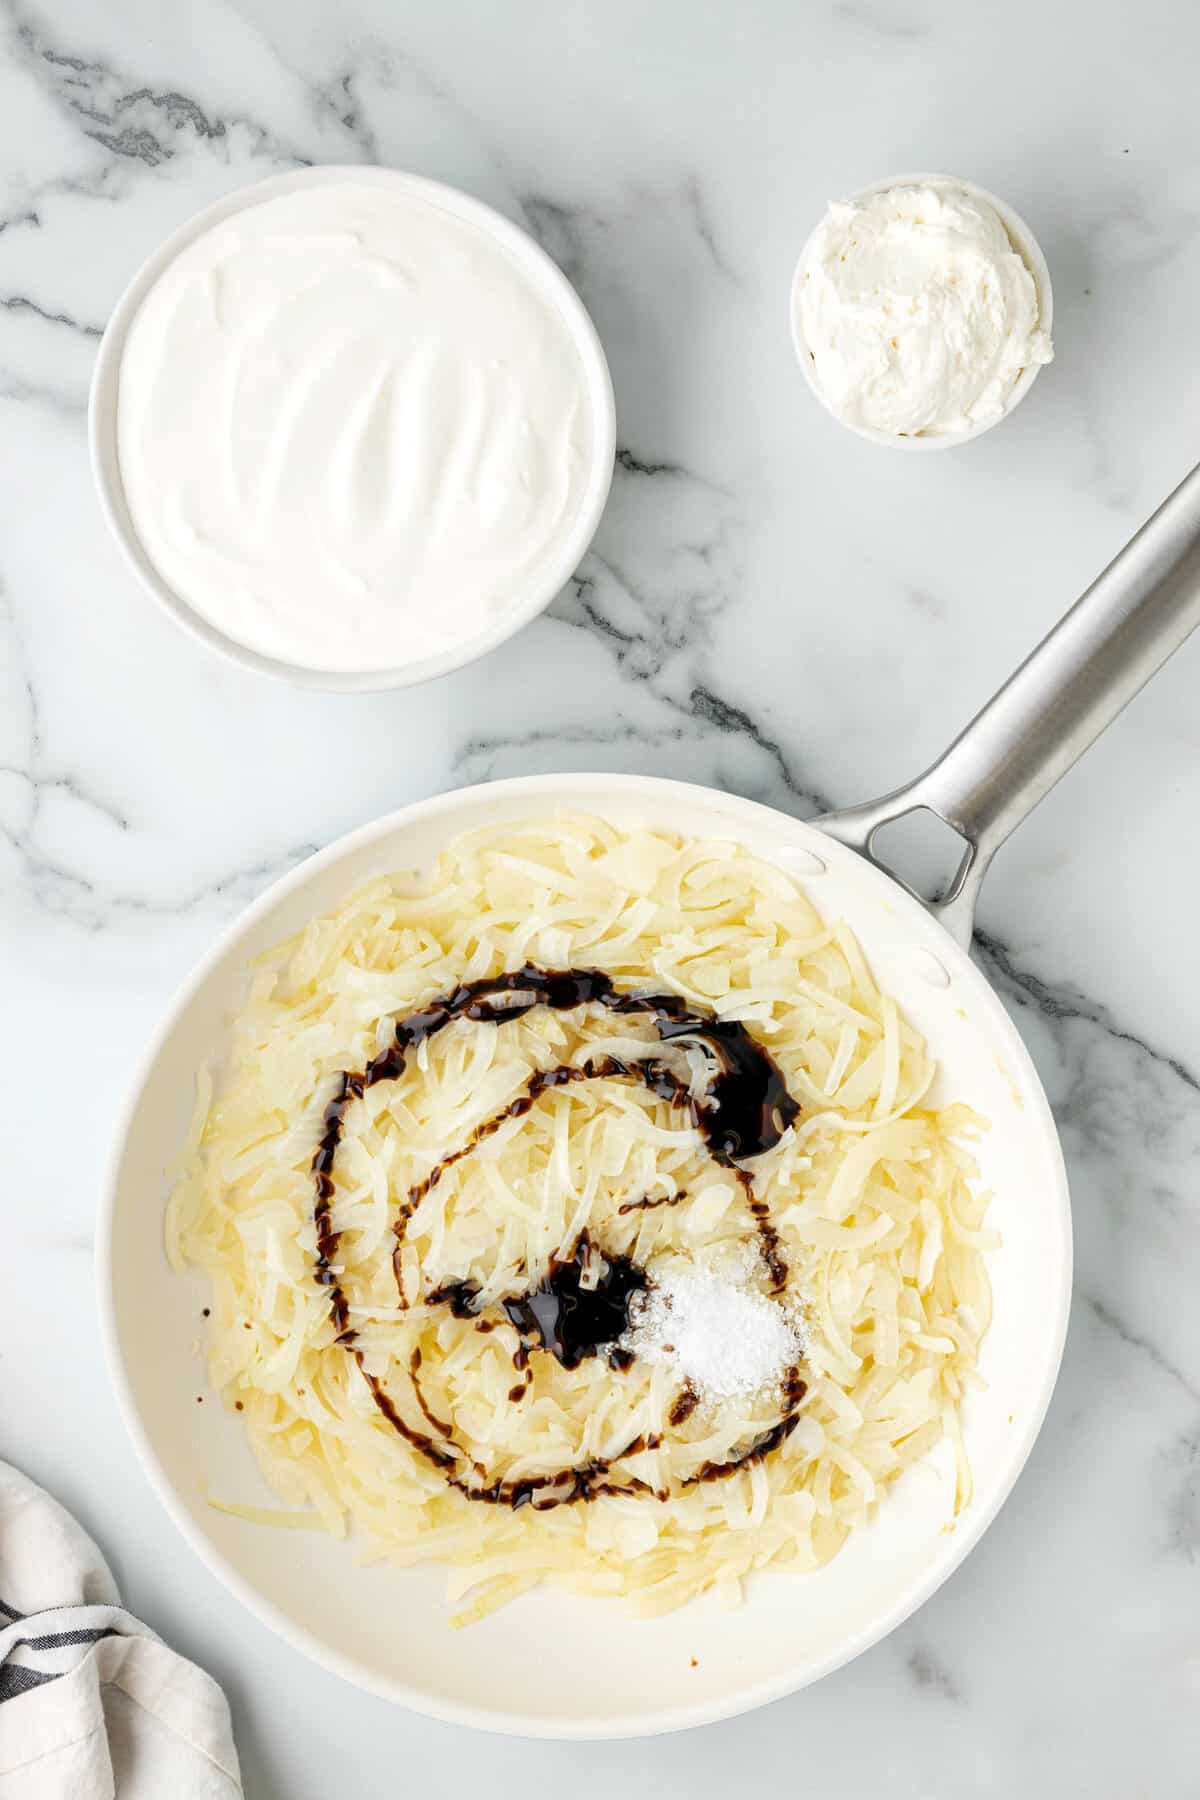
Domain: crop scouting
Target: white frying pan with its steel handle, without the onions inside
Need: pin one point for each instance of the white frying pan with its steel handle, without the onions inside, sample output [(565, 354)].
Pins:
[(388, 1630)]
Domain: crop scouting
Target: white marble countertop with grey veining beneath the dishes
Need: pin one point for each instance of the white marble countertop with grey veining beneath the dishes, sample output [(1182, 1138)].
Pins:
[(771, 606)]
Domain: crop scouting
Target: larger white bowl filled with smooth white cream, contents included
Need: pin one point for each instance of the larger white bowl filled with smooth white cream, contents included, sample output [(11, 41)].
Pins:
[(354, 427)]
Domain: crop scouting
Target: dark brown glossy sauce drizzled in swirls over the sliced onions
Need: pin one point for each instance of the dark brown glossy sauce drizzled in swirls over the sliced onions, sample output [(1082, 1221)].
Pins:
[(744, 1113)]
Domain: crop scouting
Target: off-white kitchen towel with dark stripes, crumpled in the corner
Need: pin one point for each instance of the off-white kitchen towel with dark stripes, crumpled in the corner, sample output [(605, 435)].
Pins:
[(93, 1705)]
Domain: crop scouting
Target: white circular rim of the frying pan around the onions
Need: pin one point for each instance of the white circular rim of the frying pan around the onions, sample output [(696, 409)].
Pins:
[(672, 1718)]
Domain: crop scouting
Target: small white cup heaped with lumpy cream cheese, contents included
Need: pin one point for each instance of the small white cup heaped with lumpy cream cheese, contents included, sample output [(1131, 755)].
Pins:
[(922, 312)]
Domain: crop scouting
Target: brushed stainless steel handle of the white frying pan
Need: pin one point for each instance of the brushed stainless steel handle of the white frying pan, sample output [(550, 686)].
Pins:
[(1133, 618)]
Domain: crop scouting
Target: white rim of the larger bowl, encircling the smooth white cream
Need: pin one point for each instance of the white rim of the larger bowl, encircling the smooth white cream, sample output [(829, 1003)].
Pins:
[(542, 276)]
